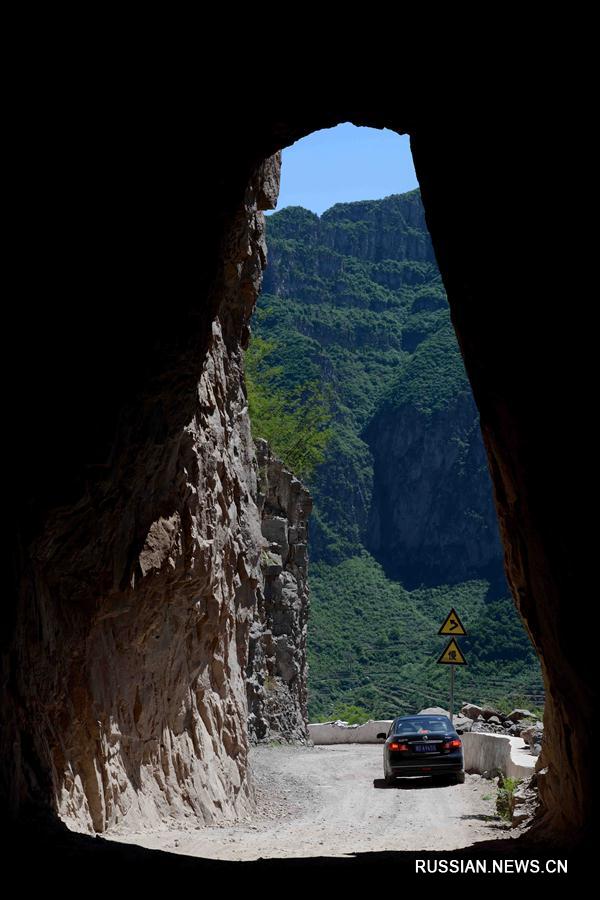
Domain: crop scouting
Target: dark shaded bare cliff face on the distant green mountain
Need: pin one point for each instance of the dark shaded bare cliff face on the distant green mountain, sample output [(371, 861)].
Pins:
[(432, 509)]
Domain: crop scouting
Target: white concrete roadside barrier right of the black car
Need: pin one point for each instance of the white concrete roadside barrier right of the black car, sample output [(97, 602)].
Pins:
[(488, 752)]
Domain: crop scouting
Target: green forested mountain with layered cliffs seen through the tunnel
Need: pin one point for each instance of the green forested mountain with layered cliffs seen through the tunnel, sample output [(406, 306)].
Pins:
[(353, 314)]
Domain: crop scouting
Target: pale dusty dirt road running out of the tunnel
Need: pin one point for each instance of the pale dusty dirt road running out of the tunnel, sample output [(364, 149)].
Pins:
[(332, 801)]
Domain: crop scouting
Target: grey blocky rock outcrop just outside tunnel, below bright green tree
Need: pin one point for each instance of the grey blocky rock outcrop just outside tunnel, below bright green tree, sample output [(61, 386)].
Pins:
[(277, 668)]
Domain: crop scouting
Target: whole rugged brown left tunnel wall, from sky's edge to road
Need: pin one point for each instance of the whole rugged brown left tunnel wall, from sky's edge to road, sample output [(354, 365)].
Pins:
[(131, 640)]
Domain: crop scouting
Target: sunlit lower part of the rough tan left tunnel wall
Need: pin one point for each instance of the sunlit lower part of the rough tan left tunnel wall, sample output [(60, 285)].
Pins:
[(159, 700)]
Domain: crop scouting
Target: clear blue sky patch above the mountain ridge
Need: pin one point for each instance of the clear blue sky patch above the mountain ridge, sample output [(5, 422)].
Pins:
[(338, 165)]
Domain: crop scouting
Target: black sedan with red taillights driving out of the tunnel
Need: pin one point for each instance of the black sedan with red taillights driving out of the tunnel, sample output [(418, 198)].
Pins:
[(422, 745)]
